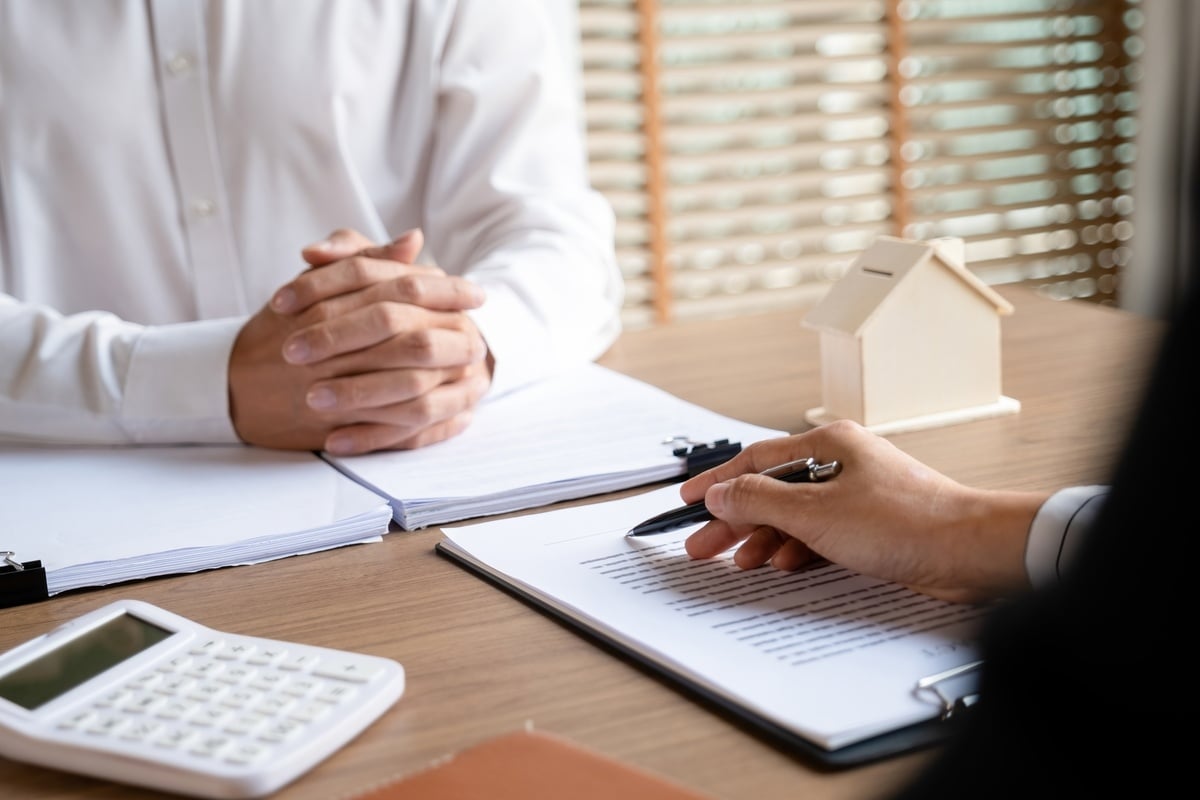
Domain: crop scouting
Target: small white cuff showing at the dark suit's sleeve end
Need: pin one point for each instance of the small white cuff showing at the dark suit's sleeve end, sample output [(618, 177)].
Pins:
[(1059, 528)]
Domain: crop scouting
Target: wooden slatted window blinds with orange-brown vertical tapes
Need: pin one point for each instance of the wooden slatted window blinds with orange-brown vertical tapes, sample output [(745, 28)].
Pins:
[(753, 148)]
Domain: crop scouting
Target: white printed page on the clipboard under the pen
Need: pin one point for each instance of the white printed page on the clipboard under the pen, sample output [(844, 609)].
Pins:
[(825, 653)]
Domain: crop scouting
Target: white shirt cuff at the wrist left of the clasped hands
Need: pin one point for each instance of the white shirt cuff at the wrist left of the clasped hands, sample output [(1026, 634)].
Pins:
[(177, 389)]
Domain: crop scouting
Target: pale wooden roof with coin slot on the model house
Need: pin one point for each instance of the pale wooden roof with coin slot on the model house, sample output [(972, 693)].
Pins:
[(853, 302)]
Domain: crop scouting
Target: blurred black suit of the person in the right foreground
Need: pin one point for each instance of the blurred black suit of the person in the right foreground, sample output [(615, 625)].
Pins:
[(1090, 687)]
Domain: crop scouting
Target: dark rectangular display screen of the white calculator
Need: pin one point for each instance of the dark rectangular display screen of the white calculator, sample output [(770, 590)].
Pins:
[(79, 660)]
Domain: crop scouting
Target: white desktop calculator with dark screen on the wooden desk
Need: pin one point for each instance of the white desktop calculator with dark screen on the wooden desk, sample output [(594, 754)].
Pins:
[(137, 695)]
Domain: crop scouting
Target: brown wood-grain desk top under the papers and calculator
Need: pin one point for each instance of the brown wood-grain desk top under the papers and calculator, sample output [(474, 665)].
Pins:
[(482, 664)]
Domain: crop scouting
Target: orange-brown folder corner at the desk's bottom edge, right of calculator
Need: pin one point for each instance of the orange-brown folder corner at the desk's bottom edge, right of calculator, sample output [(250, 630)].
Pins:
[(530, 766)]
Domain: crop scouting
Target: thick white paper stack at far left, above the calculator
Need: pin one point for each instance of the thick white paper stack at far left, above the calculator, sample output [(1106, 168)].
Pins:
[(137, 513)]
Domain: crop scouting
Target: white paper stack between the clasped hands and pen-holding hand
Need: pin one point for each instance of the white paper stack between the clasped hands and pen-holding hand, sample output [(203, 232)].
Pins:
[(585, 432)]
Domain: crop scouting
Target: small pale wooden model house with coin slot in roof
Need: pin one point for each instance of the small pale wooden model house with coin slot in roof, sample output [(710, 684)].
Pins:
[(910, 339)]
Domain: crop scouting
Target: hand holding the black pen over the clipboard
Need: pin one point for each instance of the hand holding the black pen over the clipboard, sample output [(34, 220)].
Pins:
[(885, 514)]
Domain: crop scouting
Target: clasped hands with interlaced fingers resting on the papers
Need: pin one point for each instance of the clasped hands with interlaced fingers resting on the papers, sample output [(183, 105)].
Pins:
[(364, 352)]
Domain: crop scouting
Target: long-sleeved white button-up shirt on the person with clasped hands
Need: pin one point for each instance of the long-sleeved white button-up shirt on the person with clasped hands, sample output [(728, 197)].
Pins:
[(163, 163)]
